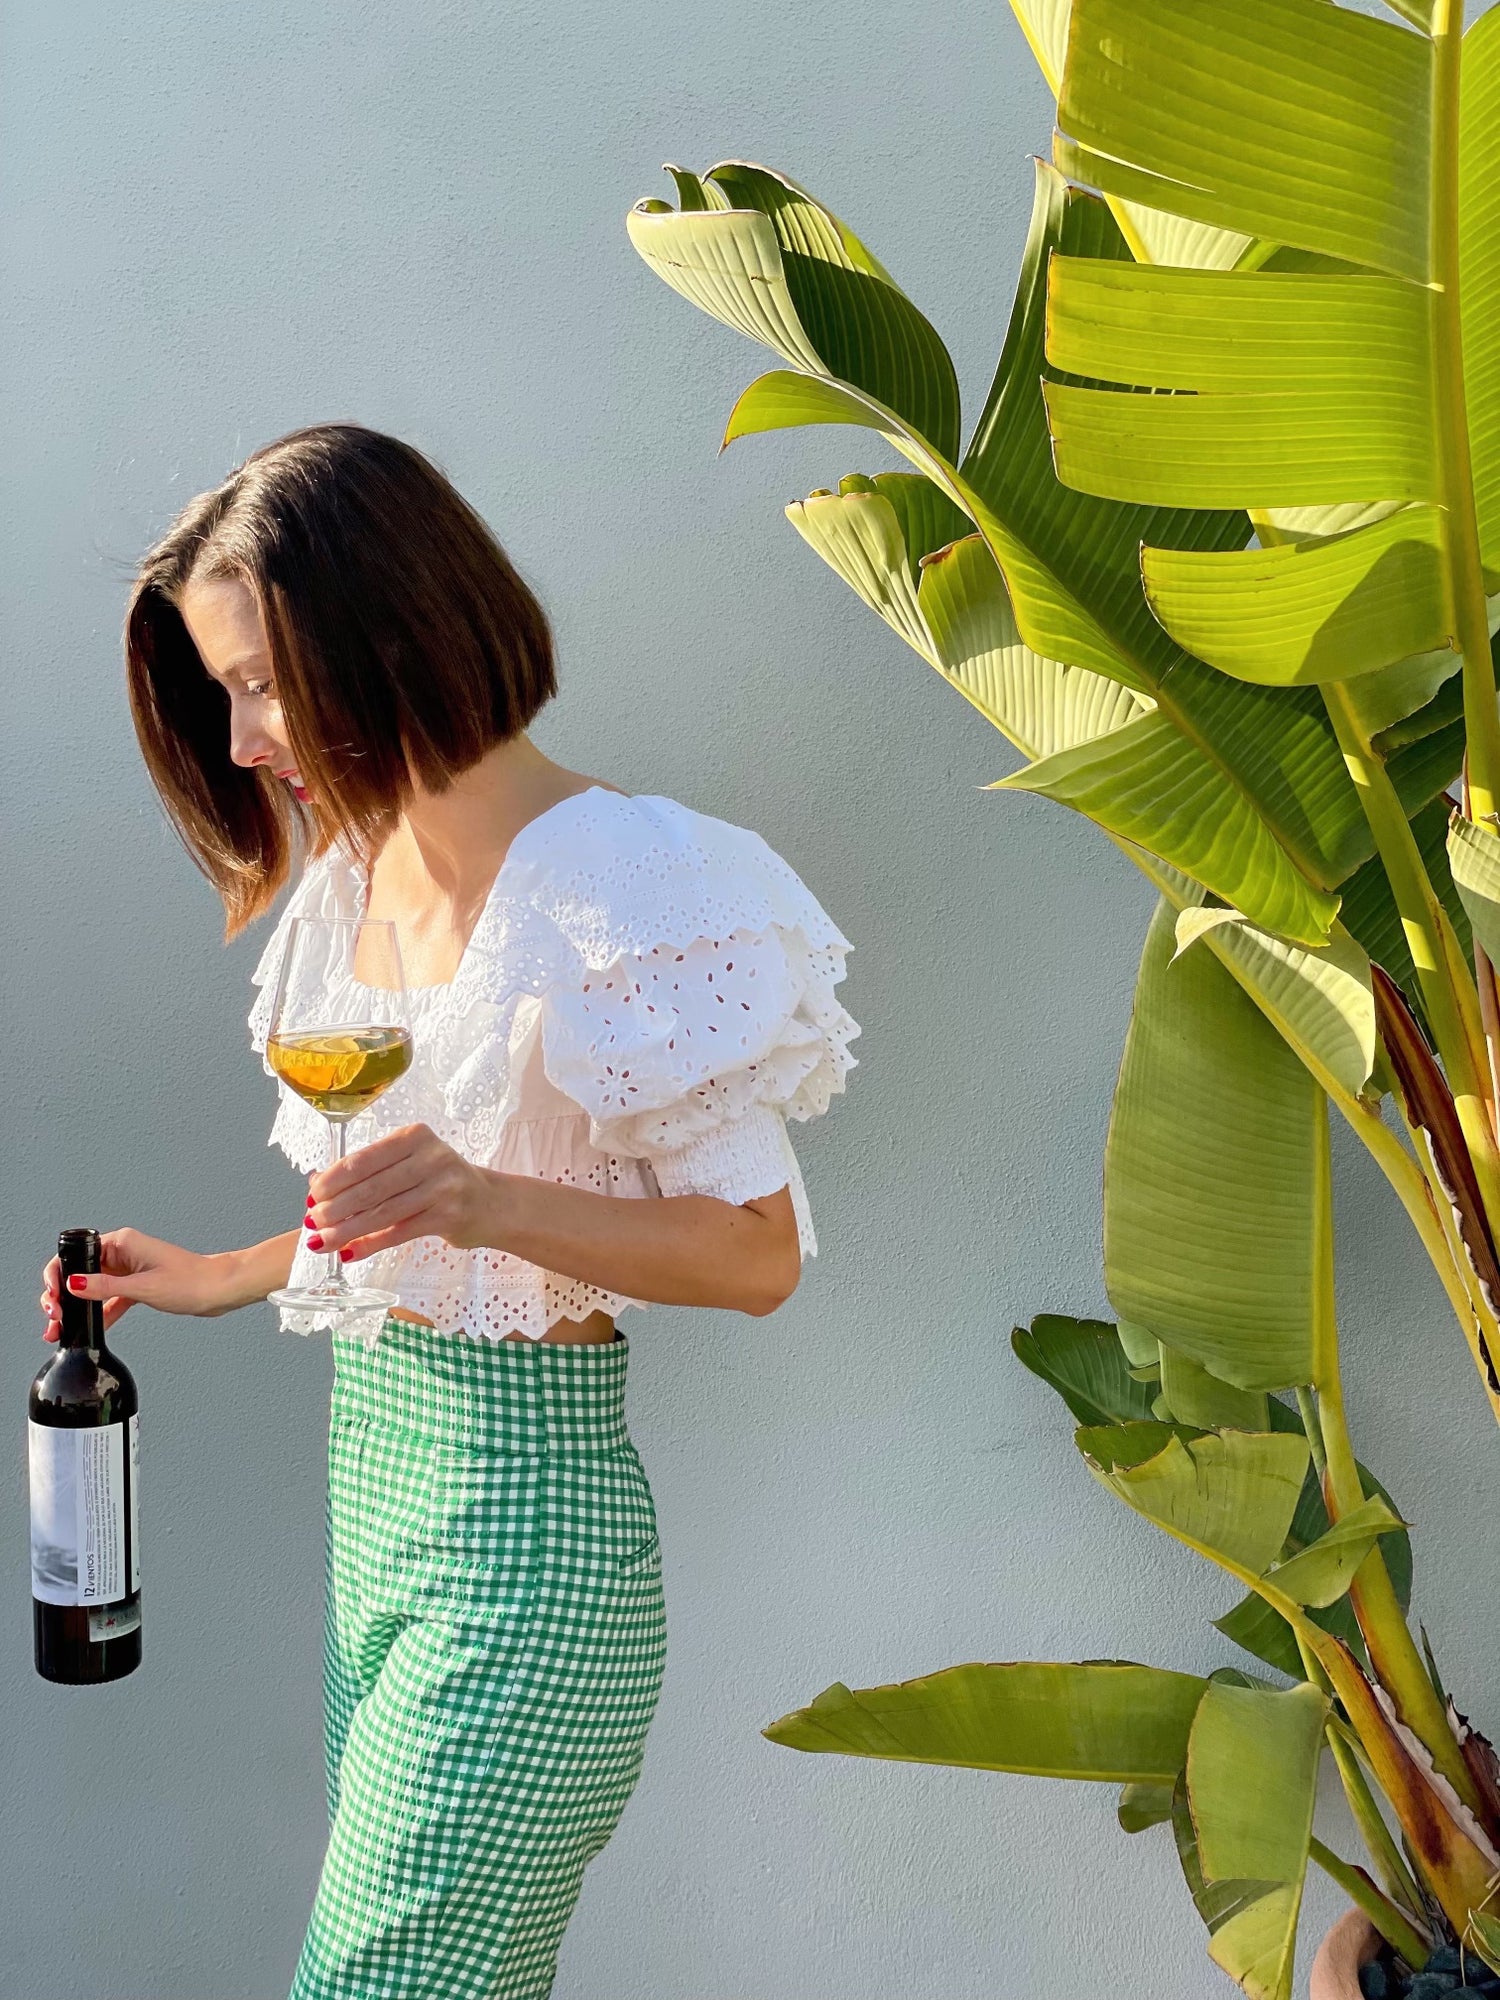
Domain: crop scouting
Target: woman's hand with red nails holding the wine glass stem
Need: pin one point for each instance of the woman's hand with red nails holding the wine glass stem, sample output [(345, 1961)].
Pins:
[(405, 1185)]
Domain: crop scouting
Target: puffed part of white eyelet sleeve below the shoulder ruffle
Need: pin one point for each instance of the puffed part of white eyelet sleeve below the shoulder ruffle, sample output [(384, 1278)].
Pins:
[(695, 1055)]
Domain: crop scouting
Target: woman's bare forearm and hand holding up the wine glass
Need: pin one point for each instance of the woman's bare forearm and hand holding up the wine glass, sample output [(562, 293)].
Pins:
[(677, 1251)]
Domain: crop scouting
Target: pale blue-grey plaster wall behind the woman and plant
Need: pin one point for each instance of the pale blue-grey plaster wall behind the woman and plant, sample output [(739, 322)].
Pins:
[(227, 223)]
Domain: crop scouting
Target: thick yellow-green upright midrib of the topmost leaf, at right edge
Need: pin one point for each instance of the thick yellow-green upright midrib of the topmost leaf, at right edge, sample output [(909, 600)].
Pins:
[(1451, 423)]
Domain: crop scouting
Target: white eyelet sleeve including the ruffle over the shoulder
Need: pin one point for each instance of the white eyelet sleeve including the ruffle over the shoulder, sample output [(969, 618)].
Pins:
[(707, 1013)]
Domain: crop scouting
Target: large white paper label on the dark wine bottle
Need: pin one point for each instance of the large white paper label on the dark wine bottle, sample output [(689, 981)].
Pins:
[(79, 1513)]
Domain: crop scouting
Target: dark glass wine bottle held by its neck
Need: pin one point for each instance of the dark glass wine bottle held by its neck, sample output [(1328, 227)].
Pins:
[(83, 1435)]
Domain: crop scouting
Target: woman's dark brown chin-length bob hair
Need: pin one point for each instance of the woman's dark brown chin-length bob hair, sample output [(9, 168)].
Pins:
[(401, 637)]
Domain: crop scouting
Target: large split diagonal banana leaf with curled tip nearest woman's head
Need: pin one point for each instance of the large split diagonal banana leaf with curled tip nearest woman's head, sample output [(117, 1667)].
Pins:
[(1259, 767)]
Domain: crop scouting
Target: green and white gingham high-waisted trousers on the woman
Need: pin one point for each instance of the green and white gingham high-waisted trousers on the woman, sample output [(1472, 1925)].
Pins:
[(493, 1655)]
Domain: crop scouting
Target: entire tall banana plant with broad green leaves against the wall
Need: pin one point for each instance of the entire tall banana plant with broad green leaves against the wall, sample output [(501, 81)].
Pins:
[(1221, 559)]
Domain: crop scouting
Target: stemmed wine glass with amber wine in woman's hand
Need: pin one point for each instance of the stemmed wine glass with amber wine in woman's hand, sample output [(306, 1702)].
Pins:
[(339, 1041)]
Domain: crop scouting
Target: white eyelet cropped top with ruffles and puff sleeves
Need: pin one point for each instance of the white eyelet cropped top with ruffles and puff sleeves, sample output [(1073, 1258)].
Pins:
[(645, 1001)]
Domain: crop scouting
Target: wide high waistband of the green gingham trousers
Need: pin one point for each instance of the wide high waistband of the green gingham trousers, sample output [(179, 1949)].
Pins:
[(517, 1397)]
